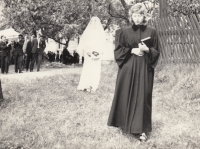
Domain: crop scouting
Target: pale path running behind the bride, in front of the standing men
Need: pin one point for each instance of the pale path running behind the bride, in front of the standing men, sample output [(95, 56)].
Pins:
[(43, 73)]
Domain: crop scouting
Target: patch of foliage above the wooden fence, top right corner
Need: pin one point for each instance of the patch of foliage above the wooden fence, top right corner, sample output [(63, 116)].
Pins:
[(183, 7)]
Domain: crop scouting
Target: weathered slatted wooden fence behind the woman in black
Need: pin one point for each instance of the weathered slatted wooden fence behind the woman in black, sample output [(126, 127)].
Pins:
[(179, 38)]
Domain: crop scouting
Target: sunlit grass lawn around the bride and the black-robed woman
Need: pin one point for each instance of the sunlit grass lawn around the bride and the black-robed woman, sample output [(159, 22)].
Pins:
[(49, 113)]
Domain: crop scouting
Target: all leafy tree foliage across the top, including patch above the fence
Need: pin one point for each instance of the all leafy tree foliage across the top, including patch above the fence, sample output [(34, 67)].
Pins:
[(67, 19)]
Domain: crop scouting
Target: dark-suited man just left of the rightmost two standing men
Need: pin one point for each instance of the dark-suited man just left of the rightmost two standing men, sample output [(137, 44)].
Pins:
[(27, 50)]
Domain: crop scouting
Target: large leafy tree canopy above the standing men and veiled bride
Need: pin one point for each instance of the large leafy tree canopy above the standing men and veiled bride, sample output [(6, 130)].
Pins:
[(58, 19)]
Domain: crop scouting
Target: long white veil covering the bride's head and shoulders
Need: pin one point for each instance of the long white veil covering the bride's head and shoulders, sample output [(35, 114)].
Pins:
[(93, 37)]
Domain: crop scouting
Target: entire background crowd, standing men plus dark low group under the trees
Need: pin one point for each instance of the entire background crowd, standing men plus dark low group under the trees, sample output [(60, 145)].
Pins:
[(29, 50)]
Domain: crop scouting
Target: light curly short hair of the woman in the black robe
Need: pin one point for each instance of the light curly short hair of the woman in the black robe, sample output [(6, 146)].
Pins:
[(139, 8)]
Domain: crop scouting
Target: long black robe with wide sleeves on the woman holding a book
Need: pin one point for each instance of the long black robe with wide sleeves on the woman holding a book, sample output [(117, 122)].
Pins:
[(132, 104)]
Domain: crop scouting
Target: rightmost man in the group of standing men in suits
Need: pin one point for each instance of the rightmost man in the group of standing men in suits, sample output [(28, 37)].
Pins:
[(41, 47)]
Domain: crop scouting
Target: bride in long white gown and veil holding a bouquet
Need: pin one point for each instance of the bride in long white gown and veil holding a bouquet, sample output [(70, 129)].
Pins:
[(91, 46)]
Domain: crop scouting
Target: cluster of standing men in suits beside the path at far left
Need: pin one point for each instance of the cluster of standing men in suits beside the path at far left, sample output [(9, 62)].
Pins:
[(28, 46)]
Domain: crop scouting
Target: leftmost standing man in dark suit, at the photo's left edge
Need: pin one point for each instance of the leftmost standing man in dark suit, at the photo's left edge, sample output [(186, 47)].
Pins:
[(5, 52)]
